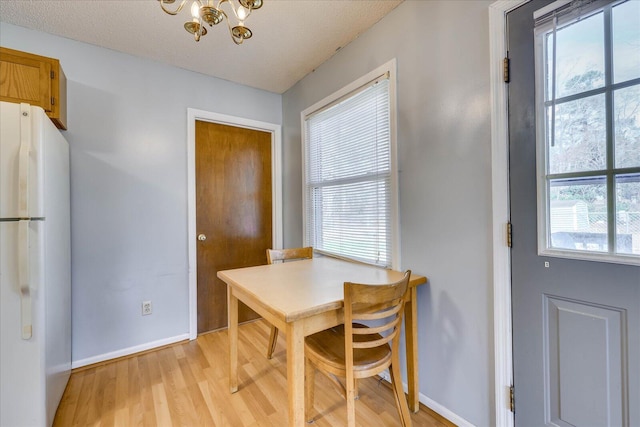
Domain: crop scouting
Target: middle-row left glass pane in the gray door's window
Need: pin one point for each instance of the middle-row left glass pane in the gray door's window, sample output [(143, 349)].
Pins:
[(580, 136)]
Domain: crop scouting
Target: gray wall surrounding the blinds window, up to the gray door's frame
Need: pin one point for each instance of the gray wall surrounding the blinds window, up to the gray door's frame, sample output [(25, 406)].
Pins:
[(442, 51)]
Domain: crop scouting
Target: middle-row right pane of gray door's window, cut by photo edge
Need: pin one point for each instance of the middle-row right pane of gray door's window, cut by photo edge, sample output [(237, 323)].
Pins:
[(627, 126)]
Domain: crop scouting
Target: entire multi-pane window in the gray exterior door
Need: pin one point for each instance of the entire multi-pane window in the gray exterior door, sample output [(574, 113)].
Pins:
[(588, 127)]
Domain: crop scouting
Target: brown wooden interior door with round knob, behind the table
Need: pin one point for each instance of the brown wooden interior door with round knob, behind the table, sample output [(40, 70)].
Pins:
[(233, 212)]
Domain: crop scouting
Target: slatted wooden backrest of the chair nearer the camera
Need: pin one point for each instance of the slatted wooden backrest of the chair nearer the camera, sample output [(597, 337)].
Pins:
[(374, 303)]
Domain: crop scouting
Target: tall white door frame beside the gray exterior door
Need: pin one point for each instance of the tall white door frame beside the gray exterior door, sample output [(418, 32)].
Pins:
[(502, 325)]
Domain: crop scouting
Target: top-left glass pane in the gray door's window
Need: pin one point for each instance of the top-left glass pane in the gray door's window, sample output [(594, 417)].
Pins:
[(579, 56)]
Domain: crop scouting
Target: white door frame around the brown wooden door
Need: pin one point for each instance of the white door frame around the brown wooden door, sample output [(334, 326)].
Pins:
[(276, 194)]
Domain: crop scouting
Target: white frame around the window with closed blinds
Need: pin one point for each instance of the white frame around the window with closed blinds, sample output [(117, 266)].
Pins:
[(345, 92)]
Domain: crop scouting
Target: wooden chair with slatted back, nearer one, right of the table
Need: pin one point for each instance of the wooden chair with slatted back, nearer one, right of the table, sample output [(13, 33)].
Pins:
[(353, 350)]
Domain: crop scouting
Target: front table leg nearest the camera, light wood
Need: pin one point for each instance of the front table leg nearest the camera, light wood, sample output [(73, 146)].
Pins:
[(295, 374)]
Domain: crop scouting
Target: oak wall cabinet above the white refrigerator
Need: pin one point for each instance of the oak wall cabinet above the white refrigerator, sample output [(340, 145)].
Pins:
[(36, 80)]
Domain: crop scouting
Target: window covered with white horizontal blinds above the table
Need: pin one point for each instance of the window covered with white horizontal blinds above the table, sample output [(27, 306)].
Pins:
[(350, 185)]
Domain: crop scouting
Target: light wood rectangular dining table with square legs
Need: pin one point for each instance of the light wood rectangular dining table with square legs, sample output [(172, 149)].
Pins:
[(302, 298)]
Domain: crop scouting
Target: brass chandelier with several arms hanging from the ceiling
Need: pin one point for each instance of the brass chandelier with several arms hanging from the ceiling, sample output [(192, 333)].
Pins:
[(204, 11)]
